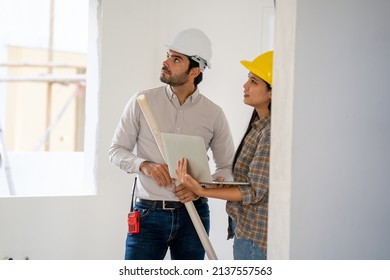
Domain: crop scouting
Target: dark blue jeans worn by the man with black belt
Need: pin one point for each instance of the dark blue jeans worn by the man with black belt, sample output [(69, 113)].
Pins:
[(162, 229)]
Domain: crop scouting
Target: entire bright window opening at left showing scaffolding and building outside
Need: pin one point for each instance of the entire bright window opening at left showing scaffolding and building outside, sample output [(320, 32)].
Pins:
[(42, 91)]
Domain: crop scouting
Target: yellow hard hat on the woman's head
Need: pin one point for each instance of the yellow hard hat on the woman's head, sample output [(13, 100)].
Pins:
[(261, 66)]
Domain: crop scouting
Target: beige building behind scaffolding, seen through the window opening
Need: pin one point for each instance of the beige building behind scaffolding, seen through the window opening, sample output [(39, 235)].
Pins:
[(45, 101)]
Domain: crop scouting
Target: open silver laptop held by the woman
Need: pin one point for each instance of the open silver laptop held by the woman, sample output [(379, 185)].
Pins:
[(177, 146)]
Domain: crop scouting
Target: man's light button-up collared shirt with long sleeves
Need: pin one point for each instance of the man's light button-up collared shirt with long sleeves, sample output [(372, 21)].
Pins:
[(133, 142)]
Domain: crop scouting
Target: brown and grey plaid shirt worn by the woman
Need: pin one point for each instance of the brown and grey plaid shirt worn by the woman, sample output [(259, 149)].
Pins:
[(251, 214)]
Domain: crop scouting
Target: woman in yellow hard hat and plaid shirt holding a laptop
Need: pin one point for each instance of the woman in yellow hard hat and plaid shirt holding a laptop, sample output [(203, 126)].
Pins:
[(247, 206)]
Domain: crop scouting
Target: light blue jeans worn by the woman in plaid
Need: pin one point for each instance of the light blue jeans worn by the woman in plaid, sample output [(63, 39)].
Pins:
[(245, 249)]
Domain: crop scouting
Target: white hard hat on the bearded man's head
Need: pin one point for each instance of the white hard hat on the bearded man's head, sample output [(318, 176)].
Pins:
[(194, 43)]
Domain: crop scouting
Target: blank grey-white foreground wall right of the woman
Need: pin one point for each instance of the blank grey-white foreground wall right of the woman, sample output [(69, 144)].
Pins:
[(330, 179)]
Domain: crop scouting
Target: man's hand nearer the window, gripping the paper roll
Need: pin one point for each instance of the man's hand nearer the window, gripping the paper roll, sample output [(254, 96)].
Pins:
[(158, 171)]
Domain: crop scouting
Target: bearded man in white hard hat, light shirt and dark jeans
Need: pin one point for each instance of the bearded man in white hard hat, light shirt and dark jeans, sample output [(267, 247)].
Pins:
[(178, 107)]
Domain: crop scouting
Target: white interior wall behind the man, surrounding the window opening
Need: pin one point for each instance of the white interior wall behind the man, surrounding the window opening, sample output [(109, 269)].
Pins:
[(125, 55)]
